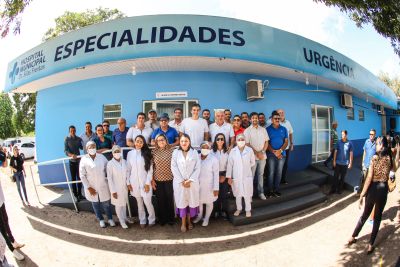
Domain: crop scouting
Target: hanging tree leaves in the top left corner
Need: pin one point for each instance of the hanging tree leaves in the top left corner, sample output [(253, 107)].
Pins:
[(10, 15)]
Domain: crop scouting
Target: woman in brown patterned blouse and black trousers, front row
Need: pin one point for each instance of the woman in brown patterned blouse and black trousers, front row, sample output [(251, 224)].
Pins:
[(162, 180)]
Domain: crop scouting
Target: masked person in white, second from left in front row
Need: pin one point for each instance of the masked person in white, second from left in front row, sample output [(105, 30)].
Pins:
[(117, 182)]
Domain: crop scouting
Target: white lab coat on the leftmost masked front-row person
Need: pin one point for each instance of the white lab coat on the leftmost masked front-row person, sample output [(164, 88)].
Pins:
[(93, 174)]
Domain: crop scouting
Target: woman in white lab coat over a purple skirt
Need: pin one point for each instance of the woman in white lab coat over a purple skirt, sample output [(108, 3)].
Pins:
[(185, 166)]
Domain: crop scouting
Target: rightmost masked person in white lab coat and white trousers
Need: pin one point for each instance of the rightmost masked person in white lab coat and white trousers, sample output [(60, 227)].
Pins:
[(239, 174)]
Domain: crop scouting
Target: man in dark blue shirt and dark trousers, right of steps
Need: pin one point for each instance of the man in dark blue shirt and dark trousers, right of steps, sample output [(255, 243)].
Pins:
[(342, 160)]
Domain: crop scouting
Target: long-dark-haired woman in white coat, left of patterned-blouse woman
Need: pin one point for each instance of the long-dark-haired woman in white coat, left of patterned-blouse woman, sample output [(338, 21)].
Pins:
[(140, 174)]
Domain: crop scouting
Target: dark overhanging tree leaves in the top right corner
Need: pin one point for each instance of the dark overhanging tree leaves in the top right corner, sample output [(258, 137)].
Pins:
[(383, 15)]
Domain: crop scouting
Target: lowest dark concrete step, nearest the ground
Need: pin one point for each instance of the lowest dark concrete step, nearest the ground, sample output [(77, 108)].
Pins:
[(279, 209)]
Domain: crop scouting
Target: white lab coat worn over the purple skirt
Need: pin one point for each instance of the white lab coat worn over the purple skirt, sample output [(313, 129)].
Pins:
[(186, 169)]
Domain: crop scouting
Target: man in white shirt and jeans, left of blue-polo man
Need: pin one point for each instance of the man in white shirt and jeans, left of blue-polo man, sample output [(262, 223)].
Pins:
[(257, 138)]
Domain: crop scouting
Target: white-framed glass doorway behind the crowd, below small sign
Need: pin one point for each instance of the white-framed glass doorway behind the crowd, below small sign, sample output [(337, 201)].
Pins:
[(168, 106)]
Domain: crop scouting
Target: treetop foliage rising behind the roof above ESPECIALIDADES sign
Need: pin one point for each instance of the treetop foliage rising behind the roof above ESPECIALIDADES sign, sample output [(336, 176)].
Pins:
[(71, 21)]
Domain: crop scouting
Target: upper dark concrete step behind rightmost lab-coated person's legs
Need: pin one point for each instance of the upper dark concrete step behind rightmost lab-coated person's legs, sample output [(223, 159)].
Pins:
[(287, 194)]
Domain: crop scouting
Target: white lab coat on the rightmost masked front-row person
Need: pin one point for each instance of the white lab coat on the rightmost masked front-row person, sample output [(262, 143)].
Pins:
[(239, 169)]
